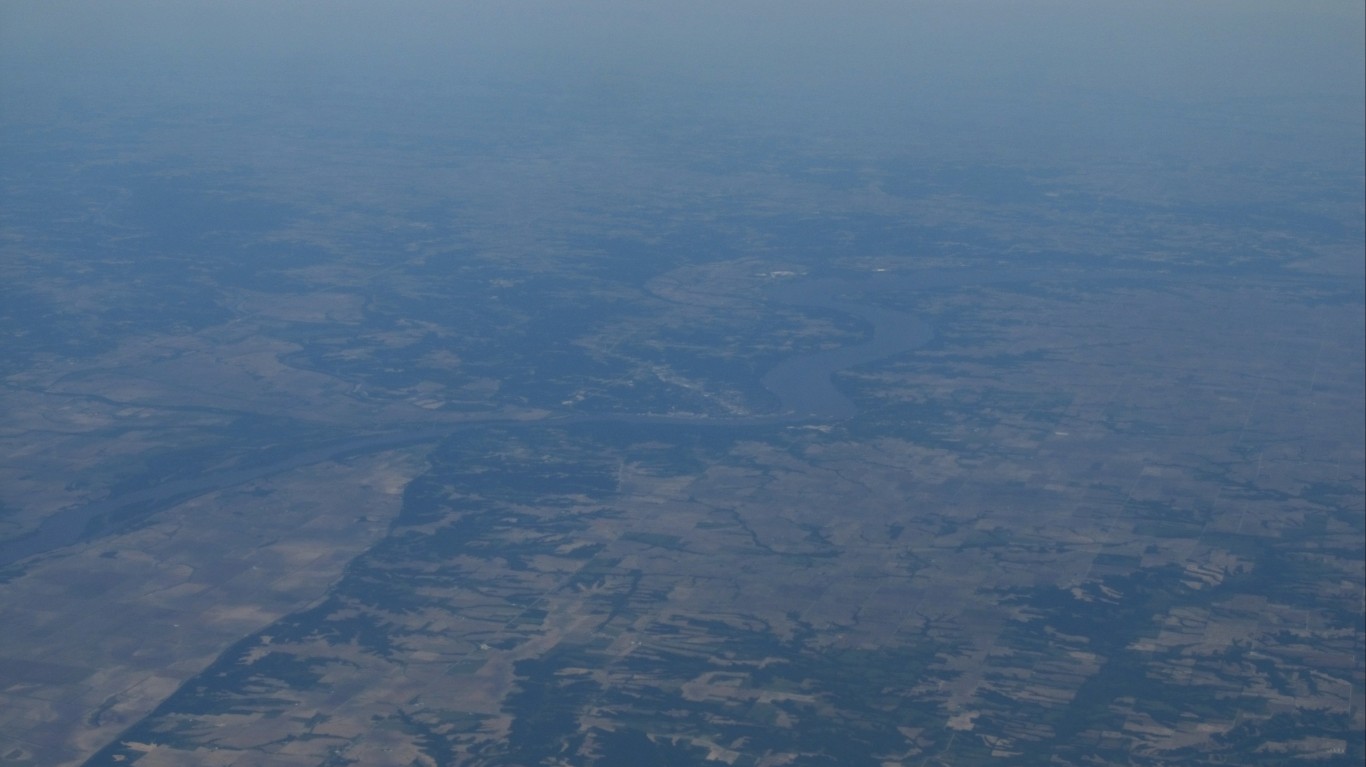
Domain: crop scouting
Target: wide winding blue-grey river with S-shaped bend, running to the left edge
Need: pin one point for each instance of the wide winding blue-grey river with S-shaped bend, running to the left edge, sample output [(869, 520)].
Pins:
[(804, 385)]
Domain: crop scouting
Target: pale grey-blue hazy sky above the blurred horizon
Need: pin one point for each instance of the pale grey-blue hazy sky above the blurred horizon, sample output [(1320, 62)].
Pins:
[(1227, 49)]
